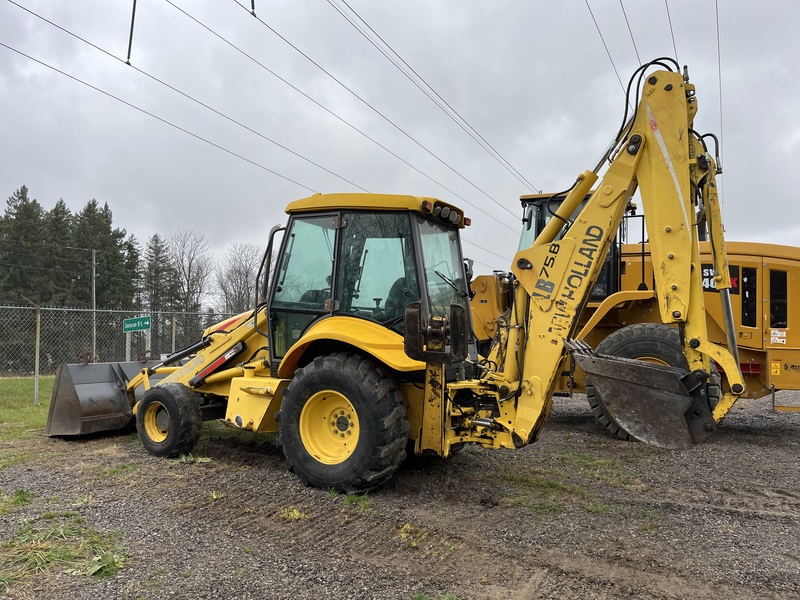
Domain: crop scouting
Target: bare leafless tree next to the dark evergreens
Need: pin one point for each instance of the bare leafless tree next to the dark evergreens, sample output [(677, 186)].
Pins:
[(194, 264)]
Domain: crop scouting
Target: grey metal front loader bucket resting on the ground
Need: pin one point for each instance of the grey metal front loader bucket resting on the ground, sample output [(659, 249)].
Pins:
[(91, 397)]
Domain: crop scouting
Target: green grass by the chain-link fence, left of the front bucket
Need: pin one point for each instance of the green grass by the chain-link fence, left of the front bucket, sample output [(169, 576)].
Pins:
[(19, 417)]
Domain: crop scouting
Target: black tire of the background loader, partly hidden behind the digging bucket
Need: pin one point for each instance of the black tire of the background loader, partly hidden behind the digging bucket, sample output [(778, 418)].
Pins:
[(650, 342)]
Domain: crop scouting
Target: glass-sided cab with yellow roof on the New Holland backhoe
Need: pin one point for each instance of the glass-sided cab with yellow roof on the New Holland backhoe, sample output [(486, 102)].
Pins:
[(366, 257)]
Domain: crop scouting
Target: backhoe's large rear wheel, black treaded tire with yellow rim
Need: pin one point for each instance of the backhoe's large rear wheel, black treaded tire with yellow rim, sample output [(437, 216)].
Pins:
[(343, 424)]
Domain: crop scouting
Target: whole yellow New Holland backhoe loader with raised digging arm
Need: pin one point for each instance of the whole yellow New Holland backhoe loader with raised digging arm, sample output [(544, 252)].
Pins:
[(360, 347)]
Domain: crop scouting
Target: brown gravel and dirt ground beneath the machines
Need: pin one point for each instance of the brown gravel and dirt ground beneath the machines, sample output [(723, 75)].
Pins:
[(576, 515)]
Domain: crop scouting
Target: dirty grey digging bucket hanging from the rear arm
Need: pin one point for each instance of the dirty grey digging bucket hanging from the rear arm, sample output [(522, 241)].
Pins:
[(659, 405)]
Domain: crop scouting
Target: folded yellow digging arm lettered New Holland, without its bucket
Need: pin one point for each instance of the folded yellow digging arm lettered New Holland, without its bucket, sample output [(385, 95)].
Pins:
[(658, 154)]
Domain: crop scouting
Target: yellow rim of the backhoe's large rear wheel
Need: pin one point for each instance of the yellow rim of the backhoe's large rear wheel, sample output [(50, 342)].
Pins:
[(329, 427)]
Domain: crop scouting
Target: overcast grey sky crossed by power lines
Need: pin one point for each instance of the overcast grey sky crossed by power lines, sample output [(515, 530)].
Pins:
[(534, 78)]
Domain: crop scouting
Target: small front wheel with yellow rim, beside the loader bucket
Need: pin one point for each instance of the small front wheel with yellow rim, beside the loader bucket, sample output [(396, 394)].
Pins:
[(169, 420)]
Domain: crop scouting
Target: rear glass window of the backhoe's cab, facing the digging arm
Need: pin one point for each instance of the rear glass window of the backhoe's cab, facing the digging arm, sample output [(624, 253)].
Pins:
[(444, 267)]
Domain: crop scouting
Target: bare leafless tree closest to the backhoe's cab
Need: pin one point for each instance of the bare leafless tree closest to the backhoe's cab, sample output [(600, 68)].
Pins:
[(236, 278)]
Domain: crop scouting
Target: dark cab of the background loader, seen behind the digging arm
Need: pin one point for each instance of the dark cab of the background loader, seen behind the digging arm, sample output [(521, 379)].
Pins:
[(538, 209)]
